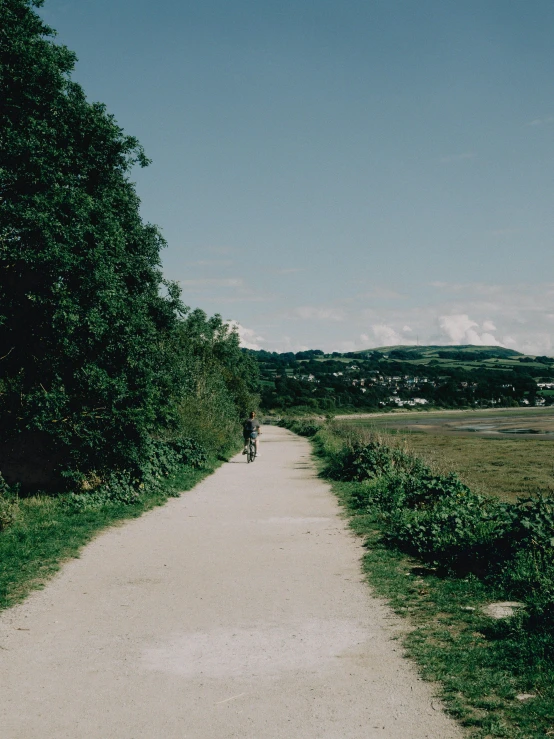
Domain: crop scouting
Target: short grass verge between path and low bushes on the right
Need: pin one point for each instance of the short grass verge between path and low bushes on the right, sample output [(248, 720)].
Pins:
[(480, 665)]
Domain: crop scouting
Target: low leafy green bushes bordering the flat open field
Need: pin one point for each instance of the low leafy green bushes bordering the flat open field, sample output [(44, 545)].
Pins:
[(440, 520)]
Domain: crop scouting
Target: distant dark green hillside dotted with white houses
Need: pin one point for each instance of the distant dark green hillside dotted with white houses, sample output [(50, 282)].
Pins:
[(404, 377)]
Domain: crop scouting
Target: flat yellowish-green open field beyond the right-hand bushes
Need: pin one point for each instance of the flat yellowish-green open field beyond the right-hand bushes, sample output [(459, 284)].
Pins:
[(502, 453)]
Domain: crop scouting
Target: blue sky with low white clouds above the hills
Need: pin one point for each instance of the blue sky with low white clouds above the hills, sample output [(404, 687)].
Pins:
[(340, 174)]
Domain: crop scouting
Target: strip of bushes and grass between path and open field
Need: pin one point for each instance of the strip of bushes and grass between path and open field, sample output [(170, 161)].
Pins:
[(443, 554)]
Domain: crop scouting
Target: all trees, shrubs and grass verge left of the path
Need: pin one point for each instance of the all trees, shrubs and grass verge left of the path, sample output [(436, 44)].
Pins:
[(113, 393)]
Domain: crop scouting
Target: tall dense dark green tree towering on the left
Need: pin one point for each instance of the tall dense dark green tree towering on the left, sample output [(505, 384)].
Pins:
[(85, 315)]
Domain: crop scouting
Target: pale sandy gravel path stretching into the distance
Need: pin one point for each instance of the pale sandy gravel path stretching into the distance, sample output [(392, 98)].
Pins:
[(237, 610)]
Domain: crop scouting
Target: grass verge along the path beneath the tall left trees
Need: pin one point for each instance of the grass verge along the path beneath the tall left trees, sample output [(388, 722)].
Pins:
[(46, 533)]
